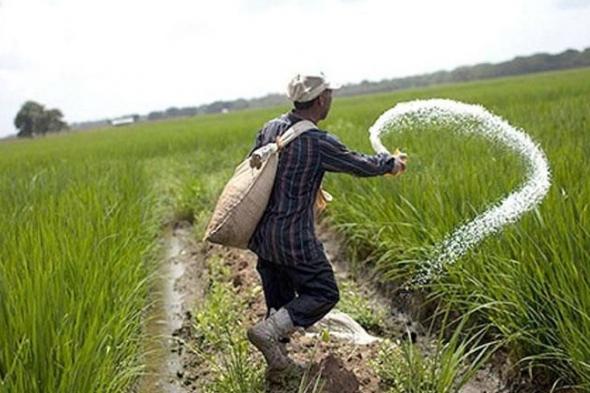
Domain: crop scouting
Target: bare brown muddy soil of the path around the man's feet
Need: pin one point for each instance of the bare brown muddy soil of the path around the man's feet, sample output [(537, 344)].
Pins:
[(344, 367)]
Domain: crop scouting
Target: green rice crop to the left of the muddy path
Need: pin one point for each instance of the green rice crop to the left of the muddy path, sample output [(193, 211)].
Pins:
[(80, 219)]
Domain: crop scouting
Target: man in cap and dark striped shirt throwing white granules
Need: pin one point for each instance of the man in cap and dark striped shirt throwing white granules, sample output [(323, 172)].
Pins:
[(297, 278)]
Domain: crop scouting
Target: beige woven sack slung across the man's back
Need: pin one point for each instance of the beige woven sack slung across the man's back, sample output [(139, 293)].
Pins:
[(245, 197)]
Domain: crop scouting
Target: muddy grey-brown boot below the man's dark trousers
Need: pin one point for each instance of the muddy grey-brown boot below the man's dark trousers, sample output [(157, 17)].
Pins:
[(265, 336)]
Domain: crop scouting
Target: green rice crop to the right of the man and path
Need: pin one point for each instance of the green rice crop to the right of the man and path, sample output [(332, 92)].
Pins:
[(529, 280)]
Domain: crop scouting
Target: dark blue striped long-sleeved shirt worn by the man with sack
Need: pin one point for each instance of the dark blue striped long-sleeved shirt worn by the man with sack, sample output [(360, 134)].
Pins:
[(286, 233)]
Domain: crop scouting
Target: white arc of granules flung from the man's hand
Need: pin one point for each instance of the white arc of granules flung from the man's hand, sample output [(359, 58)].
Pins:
[(471, 119)]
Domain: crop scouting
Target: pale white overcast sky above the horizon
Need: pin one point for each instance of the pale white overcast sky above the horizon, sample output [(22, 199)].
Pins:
[(102, 59)]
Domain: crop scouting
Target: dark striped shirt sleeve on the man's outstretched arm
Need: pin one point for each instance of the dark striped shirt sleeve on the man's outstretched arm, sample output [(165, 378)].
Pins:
[(336, 157)]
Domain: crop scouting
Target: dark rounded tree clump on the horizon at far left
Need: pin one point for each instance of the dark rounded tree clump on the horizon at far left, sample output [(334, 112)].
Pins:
[(32, 119)]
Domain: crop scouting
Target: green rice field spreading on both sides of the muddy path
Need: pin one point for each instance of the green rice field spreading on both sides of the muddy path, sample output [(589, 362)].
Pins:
[(81, 215)]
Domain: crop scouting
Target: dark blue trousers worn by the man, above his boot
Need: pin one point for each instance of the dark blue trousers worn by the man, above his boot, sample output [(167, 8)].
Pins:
[(307, 290)]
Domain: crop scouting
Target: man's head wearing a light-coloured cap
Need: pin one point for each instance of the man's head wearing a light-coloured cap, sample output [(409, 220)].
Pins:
[(312, 94)]
